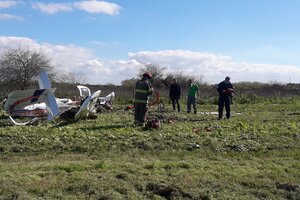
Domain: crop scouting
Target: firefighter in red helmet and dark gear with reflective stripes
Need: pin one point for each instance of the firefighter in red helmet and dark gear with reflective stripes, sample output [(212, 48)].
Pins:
[(143, 89)]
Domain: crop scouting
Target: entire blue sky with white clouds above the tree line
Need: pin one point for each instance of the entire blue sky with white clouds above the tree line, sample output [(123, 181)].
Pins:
[(109, 41)]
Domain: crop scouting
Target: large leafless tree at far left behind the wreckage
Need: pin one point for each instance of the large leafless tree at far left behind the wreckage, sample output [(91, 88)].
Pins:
[(21, 65)]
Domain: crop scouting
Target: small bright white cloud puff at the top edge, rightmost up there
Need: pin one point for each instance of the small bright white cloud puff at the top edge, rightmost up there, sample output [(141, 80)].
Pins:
[(95, 6)]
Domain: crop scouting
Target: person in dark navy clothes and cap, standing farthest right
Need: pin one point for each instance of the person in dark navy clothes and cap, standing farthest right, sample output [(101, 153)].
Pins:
[(226, 90)]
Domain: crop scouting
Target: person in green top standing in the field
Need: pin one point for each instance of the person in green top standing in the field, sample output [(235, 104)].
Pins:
[(192, 92)]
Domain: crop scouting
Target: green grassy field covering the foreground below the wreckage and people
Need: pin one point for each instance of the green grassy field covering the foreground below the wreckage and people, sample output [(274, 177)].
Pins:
[(254, 155)]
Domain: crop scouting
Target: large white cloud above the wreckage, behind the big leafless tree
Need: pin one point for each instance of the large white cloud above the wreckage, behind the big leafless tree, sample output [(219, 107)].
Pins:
[(66, 58)]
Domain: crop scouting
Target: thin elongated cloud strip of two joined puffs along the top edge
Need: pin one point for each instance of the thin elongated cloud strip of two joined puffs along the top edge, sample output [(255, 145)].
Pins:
[(92, 6)]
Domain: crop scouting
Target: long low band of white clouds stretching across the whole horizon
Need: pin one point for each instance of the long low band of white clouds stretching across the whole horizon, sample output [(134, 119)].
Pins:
[(213, 68)]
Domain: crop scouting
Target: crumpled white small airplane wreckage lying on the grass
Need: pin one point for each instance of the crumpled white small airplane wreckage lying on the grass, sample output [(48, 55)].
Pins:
[(41, 103)]
